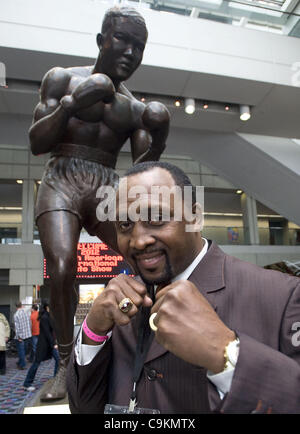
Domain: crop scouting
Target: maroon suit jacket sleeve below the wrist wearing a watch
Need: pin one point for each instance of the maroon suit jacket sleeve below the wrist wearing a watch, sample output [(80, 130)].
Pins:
[(267, 380)]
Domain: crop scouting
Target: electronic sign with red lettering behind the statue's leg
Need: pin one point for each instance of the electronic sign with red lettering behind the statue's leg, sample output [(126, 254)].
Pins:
[(96, 260)]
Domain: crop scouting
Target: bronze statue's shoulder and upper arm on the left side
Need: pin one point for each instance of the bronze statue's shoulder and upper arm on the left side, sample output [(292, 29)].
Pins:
[(50, 118)]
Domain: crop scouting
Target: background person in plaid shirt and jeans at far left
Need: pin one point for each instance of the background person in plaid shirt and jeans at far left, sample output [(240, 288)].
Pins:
[(23, 333)]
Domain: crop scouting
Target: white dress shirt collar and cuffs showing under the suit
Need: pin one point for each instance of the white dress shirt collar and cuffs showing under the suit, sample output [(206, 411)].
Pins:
[(86, 353)]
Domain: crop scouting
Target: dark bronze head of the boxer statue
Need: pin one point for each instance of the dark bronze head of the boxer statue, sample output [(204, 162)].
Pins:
[(121, 42)]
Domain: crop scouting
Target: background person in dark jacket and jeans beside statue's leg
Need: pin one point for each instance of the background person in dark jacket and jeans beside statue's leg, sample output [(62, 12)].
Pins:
[(46, 347)]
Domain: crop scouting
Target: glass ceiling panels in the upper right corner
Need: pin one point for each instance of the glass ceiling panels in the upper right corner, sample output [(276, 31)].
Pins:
[(278, 16)]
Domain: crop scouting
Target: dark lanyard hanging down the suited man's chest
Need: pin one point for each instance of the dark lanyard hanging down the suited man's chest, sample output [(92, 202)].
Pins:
[(143, 343)]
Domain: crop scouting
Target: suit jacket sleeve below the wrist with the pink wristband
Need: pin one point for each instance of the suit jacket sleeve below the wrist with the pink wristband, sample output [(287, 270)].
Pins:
[(88, 385)]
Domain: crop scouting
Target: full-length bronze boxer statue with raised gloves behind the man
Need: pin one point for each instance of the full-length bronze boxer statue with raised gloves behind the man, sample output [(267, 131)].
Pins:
[(84, 117)]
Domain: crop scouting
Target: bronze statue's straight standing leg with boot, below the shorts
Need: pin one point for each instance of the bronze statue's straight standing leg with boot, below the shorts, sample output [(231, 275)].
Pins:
[(59, 235)]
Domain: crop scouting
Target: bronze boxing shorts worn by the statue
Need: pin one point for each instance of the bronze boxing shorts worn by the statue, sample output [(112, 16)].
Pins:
[(70, 184)]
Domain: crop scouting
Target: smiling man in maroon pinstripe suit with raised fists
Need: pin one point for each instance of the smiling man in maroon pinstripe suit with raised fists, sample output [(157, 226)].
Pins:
[(224, 329)]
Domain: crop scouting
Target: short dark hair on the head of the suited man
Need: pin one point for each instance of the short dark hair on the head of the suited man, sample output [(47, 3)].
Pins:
[(178, 175)]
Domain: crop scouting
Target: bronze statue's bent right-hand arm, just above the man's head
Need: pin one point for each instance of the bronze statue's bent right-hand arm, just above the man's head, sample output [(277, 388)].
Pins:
[(149, 142)]
